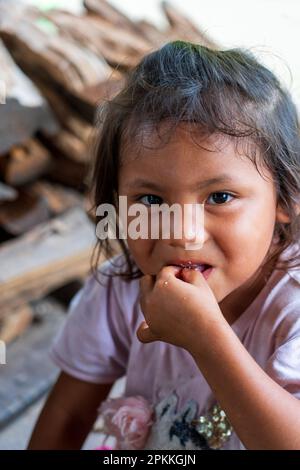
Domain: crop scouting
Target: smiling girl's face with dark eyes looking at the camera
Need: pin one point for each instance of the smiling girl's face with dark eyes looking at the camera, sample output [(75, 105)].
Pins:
[(239, 210)]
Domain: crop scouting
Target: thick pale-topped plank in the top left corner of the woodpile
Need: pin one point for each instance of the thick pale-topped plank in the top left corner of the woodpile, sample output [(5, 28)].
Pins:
[(65, 61)]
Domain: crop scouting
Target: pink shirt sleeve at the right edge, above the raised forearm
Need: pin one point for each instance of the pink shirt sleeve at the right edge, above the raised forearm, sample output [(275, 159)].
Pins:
[(284, 364)]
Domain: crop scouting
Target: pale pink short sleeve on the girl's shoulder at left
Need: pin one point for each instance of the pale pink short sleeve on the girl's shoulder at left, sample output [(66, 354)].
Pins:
[(95, 340)]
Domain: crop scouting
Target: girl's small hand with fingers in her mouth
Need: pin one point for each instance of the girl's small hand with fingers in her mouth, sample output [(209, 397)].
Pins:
[(175, 311)]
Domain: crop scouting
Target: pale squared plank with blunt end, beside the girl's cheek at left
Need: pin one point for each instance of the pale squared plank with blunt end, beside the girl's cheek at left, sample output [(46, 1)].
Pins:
[(49, 256)]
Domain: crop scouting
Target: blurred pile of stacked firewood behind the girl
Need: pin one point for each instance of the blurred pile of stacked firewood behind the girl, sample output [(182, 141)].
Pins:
[(55, 67)]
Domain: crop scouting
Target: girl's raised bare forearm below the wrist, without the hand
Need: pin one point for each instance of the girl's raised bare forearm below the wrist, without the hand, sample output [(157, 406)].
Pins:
[(262, 413)]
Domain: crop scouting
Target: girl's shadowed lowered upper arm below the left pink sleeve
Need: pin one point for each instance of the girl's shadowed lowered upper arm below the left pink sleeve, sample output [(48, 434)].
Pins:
[(69, 414)]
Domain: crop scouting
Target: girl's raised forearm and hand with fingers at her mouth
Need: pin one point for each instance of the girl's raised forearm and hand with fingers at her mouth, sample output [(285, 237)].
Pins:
[(262, 413)]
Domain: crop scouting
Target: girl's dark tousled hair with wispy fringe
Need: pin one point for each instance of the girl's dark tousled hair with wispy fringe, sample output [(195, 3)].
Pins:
[(221, 91)]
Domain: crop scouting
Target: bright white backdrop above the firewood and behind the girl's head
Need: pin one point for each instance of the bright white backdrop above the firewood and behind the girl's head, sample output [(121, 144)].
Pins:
[(270, 28)]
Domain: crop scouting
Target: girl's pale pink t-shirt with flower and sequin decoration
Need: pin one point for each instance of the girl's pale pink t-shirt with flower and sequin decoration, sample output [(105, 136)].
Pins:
[(98, 344)]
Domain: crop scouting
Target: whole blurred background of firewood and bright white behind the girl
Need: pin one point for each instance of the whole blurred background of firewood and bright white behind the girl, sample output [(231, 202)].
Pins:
[(58, 60)]
